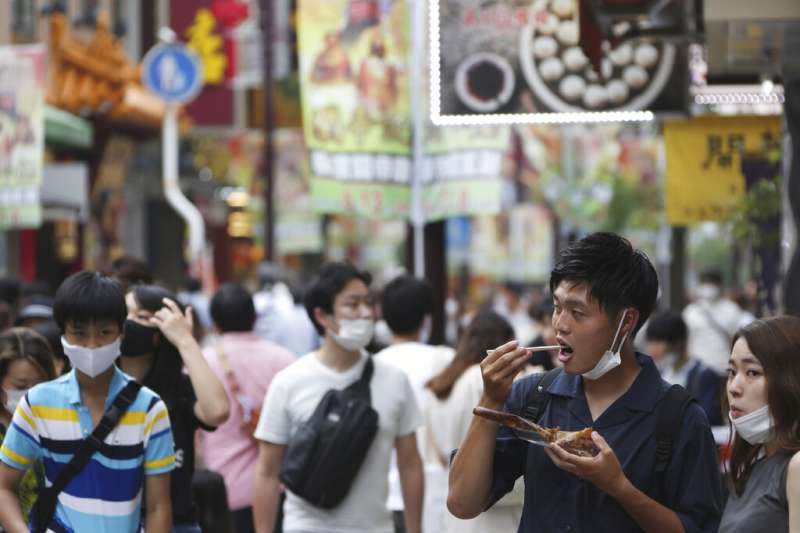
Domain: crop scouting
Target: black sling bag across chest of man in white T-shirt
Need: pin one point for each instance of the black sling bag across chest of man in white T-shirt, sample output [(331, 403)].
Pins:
[(326, 452)]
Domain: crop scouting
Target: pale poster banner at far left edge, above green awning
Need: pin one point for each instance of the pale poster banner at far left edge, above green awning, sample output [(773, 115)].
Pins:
[(22, 73)]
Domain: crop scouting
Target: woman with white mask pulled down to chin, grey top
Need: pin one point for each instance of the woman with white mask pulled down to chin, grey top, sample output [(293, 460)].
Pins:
[(763, 395)]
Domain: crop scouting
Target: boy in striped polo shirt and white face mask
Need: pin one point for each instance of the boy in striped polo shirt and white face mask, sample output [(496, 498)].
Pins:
[(54, 417)]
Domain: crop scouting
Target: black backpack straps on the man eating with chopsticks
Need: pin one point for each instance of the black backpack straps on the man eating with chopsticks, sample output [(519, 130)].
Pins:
[(669, 414)]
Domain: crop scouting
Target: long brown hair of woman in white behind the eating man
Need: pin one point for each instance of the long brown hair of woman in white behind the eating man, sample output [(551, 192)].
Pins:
[(486, 331)]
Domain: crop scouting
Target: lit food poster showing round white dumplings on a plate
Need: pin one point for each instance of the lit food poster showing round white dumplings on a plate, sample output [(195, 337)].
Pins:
[(522, 57)]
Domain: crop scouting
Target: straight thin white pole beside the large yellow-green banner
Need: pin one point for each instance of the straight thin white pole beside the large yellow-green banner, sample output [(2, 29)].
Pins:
[(418, 130)]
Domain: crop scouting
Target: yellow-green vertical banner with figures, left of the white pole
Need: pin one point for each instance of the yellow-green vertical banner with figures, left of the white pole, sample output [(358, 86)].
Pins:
[(356, 104)]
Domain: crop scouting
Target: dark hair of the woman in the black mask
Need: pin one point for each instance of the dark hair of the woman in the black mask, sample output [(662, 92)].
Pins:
[(165, 375)]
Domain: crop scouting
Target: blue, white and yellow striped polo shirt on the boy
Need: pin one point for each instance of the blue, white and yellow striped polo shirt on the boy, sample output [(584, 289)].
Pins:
[(49, 425)]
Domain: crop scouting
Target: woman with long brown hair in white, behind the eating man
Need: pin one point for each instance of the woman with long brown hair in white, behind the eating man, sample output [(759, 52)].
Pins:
[(453, 393)]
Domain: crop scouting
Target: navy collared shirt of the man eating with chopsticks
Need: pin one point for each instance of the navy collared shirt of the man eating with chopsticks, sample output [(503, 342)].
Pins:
[(557, 501)]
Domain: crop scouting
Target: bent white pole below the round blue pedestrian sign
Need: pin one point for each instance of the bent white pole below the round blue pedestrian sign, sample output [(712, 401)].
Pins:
[(172, 190)]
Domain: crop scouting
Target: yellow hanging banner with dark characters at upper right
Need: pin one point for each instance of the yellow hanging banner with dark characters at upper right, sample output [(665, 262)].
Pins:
[(704, 178)]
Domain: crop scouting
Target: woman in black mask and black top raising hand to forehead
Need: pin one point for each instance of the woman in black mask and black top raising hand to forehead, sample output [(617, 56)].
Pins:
[(157, 345)]
